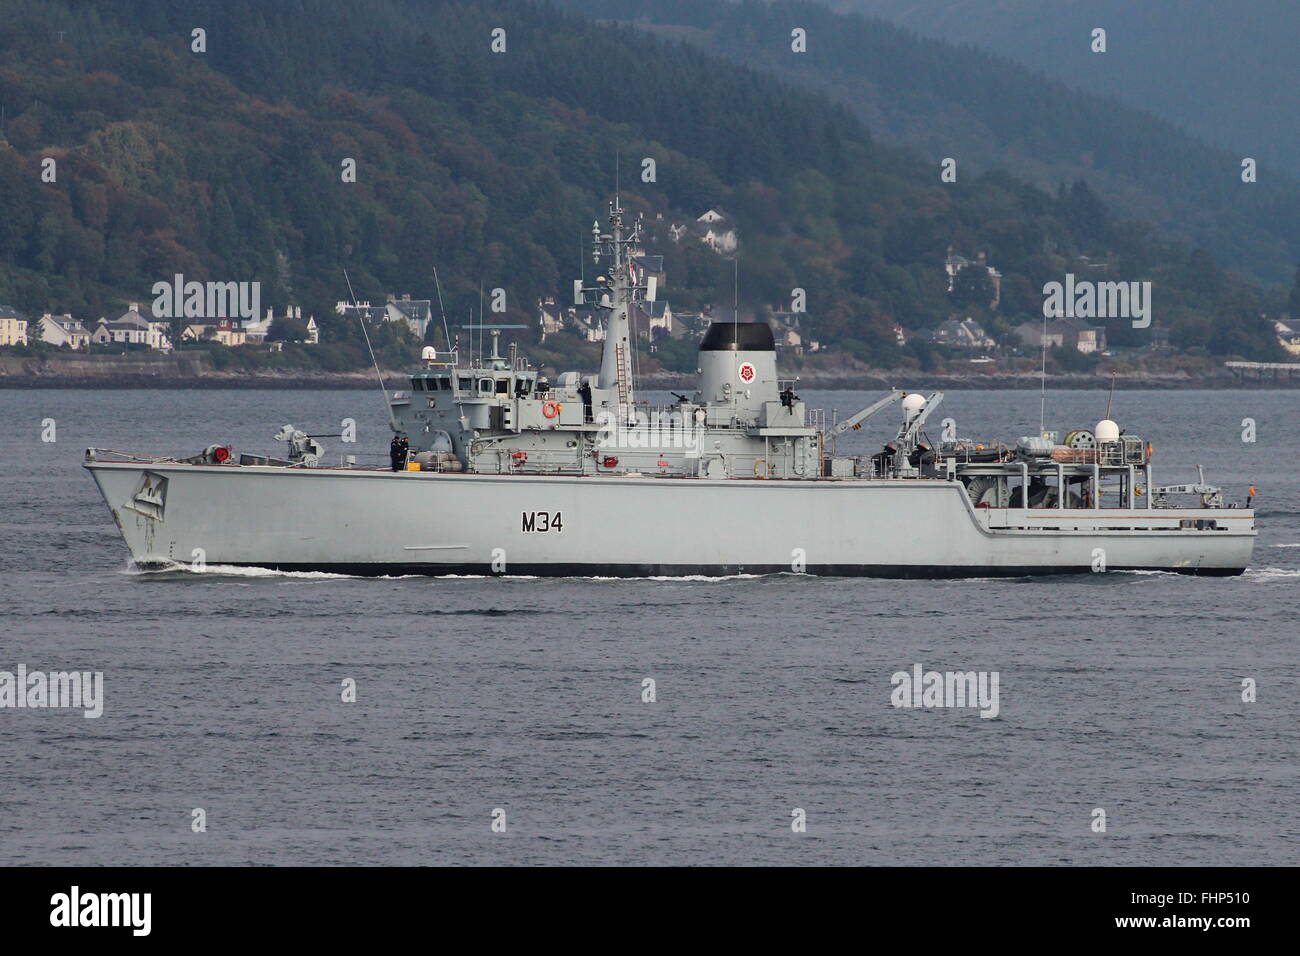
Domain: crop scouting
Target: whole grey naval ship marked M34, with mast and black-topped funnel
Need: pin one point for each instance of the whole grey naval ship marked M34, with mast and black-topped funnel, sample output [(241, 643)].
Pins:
[(500, 471)]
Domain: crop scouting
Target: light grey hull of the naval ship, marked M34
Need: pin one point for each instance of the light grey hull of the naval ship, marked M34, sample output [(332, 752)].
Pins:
[(385, 524)]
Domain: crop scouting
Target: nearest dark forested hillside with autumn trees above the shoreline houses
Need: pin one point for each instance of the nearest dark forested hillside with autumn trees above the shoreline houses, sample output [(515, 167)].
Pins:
[(491, 167)]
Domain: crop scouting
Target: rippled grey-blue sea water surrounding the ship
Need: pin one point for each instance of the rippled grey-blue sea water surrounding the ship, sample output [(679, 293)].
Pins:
[(223, 691)]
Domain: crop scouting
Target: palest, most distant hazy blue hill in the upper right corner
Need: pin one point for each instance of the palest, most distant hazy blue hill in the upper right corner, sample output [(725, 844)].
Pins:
[(1227, 72)]
